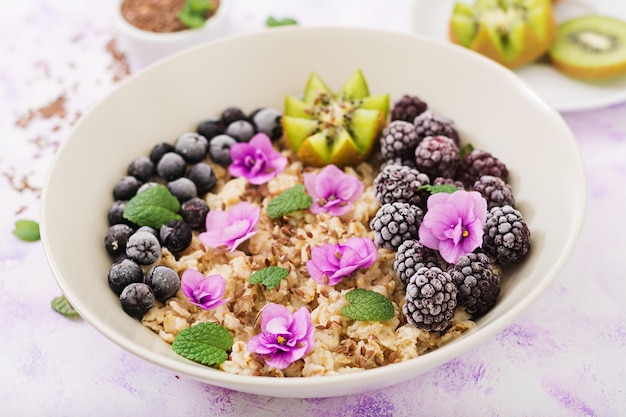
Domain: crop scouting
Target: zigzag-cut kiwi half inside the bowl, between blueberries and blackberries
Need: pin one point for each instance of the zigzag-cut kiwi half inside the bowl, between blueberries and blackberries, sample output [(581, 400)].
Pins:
[(341, 129)]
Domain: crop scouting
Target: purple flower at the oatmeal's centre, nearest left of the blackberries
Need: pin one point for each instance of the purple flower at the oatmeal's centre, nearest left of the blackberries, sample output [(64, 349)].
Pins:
[(331, 262)]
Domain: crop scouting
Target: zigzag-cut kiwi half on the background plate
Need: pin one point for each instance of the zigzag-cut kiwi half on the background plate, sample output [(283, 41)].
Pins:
[(511, 32)]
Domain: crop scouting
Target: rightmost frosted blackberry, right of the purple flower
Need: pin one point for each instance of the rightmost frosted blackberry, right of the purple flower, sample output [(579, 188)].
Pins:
[(507, 237)]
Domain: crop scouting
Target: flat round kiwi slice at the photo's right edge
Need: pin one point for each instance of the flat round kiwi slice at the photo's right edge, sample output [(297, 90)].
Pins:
[(590, 47)]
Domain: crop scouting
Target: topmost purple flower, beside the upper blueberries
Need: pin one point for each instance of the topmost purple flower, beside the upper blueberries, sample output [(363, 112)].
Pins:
[(257, 161)]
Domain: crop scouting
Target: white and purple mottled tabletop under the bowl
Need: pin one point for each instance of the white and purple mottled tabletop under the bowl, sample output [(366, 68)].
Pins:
[(563, 357)]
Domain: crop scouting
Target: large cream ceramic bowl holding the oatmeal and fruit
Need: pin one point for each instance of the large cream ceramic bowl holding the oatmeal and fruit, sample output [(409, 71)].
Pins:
[(492, 108)]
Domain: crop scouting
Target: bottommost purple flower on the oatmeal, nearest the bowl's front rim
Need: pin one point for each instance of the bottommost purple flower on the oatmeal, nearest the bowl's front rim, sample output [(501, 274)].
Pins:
[(285, 338)]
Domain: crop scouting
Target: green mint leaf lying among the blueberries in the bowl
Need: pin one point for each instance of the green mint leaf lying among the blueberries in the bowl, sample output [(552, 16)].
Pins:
[(152, 207)]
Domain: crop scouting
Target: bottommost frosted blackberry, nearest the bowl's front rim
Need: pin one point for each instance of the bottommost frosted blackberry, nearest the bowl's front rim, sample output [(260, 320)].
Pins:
[(430, 299)]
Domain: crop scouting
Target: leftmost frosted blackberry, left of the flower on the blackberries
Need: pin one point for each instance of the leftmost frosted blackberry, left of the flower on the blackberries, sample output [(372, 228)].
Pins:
[(394, 223)]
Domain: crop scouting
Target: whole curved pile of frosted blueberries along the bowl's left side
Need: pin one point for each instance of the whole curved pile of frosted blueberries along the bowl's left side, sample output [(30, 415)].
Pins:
[(186, 168)]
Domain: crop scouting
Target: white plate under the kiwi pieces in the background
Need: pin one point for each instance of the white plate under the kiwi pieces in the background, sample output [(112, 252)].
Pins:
[(565, 94)]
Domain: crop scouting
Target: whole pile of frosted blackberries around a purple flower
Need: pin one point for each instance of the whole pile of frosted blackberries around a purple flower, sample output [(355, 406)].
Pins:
[(434, 289)]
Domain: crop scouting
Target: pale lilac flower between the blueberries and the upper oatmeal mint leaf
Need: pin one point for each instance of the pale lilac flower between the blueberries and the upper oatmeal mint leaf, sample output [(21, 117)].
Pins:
[(230, 228)]
